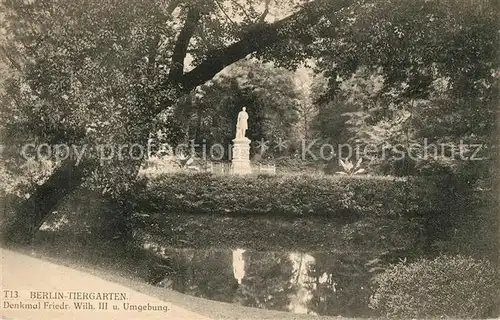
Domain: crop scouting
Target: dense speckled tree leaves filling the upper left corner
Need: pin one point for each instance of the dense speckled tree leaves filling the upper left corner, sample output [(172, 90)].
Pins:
[(81, 77)]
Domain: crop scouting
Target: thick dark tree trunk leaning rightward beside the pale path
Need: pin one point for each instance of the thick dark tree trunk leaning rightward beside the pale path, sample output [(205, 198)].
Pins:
[(32, 213)]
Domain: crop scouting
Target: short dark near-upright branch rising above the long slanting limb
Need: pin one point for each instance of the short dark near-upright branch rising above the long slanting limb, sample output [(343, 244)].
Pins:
[(180, 49)]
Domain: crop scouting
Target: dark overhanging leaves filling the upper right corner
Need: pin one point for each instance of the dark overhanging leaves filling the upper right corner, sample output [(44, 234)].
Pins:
[(395, 43)]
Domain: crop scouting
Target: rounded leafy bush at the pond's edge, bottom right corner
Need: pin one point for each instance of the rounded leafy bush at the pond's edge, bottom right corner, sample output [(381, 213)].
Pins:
[(449, 286)]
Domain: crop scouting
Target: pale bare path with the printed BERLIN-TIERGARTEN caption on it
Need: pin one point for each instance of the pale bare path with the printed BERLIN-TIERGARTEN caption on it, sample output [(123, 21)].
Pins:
[(46, 286)]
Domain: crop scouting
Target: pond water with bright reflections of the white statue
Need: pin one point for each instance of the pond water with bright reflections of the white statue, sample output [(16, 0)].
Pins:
[(322, 283)]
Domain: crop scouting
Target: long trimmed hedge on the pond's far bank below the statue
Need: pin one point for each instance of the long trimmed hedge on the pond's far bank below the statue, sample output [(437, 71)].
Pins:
[(292, 196)]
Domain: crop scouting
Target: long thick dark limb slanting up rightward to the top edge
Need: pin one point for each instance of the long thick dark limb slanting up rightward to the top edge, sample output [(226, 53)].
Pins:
[(262, 36)]
